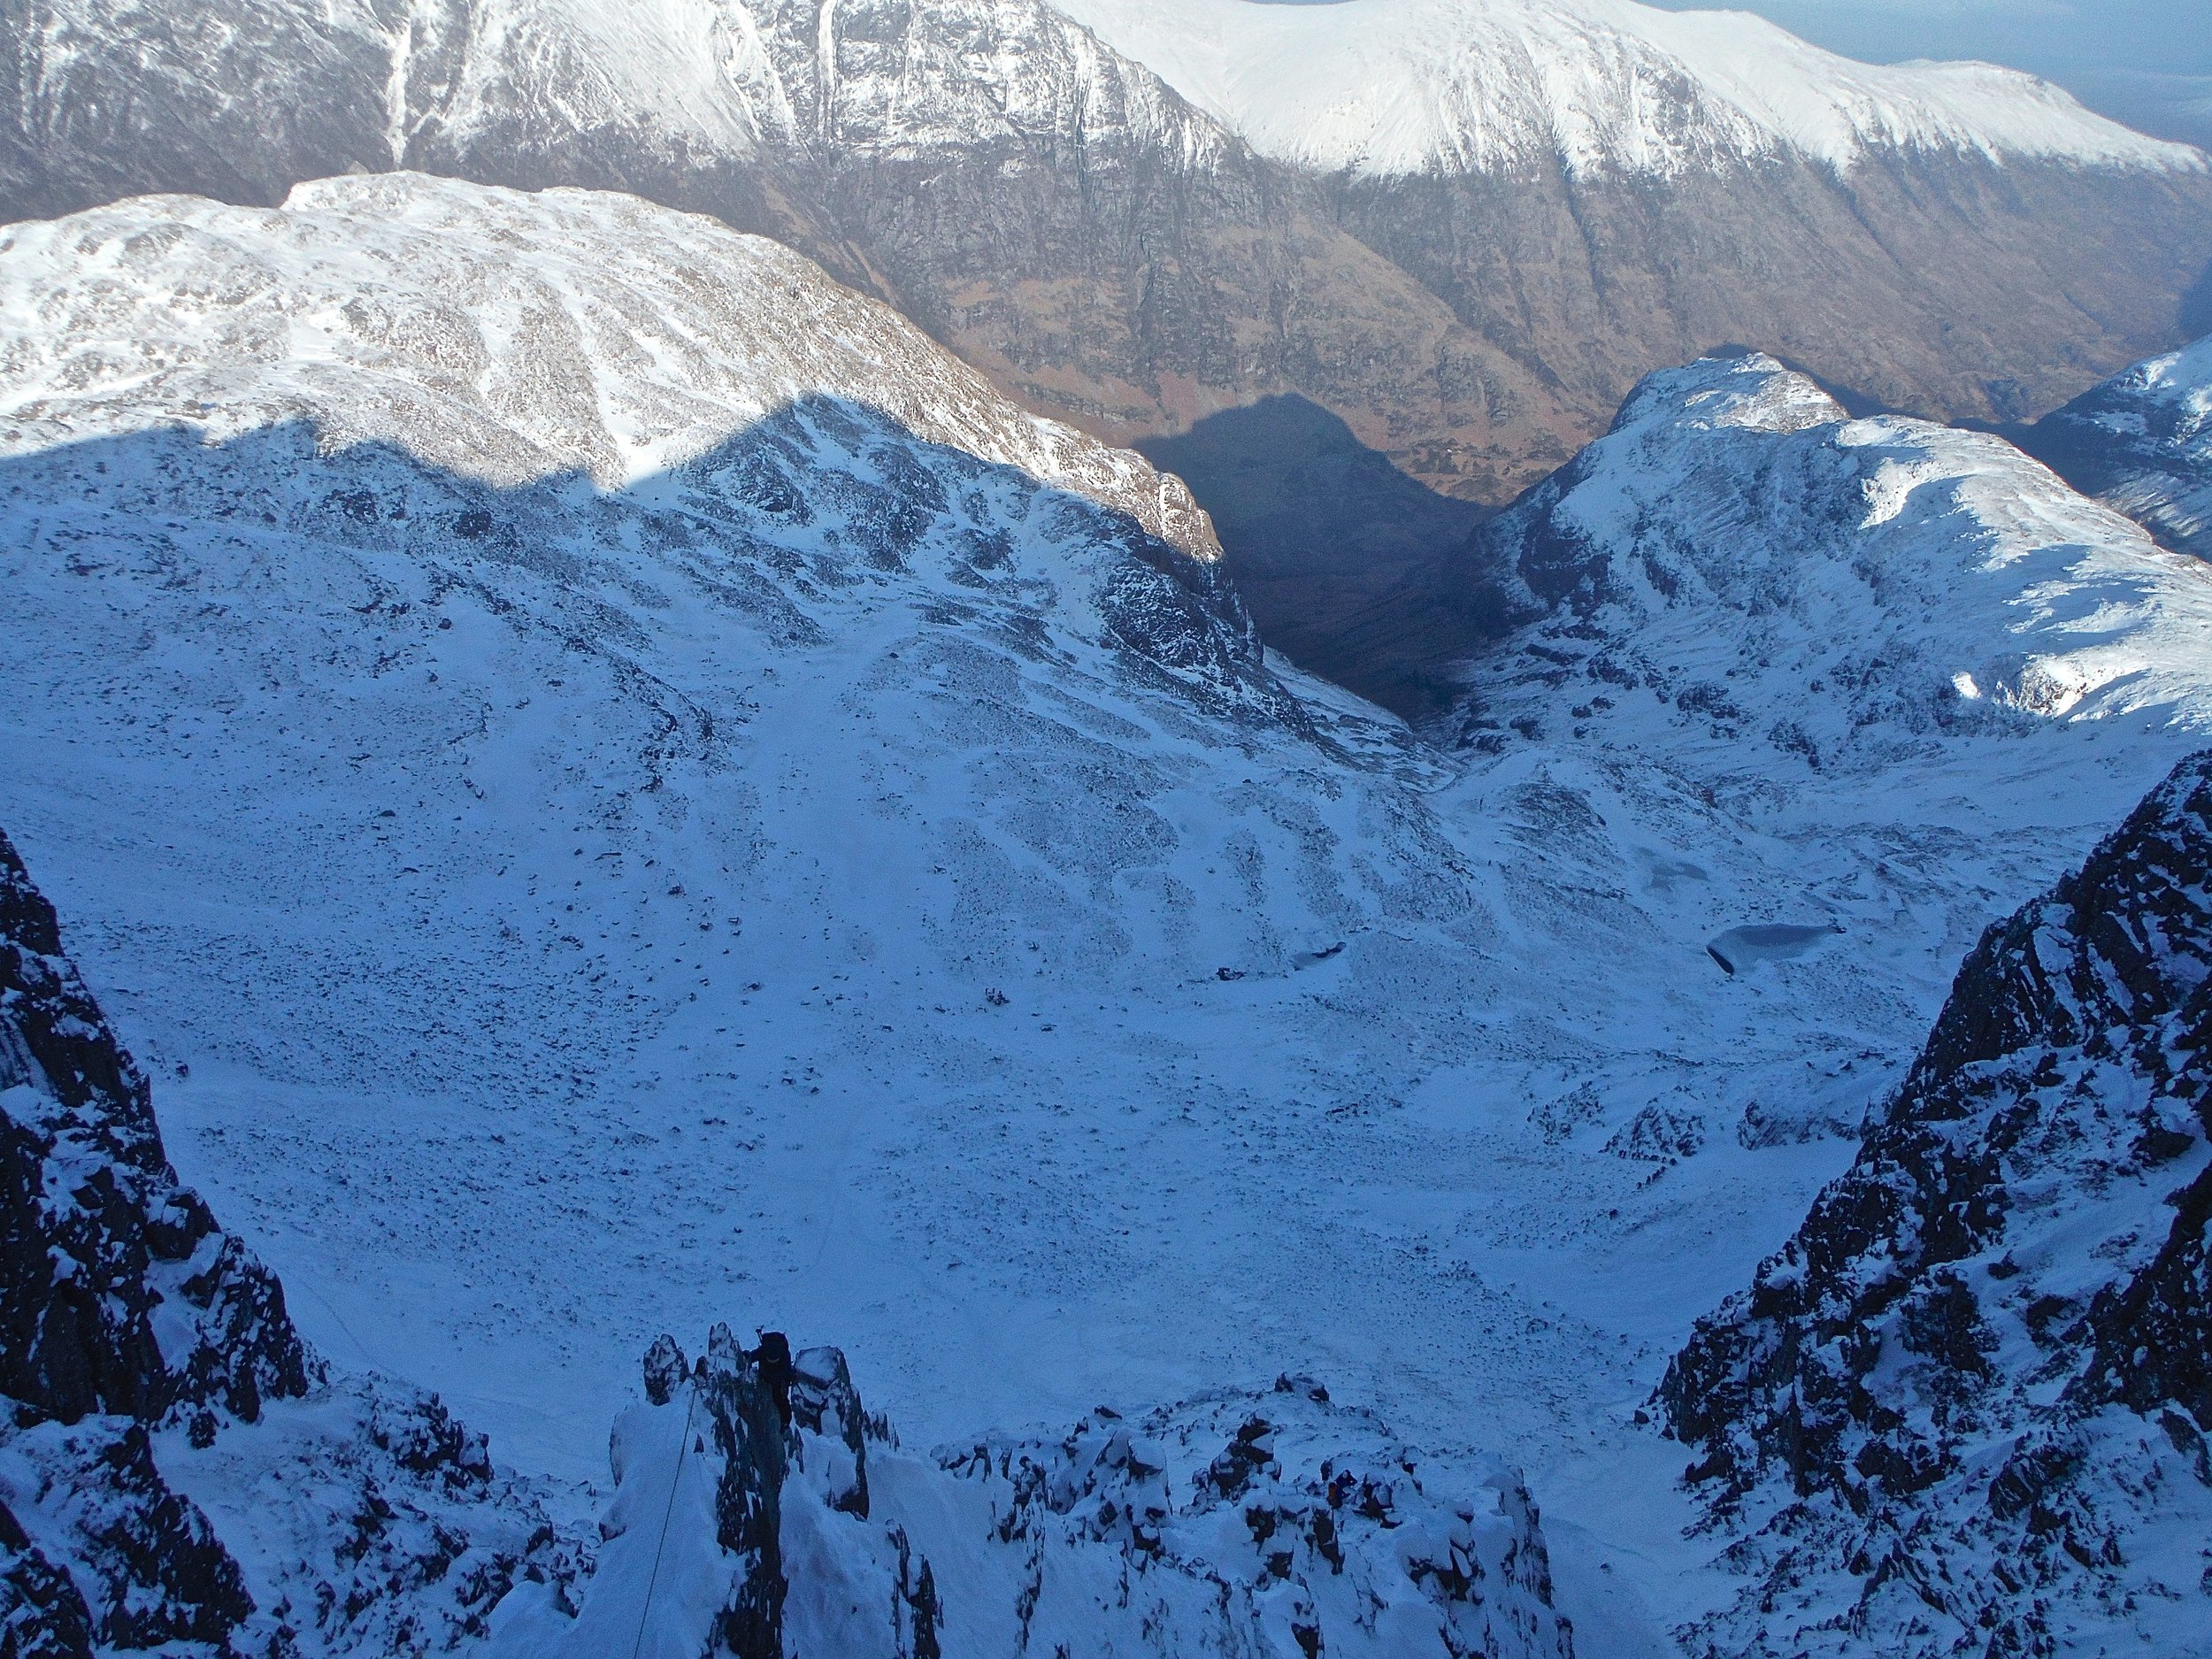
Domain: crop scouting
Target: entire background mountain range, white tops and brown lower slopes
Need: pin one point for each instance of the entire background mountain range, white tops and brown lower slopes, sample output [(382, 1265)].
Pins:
[(1468, 231)]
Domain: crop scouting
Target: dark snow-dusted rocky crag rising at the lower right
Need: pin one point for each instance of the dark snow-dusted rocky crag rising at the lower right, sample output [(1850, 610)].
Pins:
[(1963, 1410)]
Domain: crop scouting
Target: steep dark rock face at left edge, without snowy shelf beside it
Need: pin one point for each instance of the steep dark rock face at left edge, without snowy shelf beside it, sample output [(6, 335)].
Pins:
[(123, 1308)]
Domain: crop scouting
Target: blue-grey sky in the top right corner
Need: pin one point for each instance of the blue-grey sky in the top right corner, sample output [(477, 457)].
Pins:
[(2147, 63)]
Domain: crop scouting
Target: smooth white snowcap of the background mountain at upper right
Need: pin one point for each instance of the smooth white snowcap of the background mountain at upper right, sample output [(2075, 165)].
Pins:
[(1392, 87)]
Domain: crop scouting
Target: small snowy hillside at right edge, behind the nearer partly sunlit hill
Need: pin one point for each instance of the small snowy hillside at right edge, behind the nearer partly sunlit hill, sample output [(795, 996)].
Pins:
[(2142, 444)]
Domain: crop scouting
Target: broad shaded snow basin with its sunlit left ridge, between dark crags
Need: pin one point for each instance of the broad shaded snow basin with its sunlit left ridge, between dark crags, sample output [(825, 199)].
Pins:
[(643, 795)]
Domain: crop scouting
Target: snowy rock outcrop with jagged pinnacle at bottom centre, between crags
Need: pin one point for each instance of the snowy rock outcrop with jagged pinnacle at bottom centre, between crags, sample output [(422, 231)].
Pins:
[(762, 1512)]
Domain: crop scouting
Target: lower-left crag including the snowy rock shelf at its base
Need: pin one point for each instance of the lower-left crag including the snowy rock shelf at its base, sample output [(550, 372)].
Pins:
[(174, 1463)]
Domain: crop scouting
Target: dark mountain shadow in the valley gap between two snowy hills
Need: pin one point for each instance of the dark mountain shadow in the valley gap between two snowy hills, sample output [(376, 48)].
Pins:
[(1317, 528)]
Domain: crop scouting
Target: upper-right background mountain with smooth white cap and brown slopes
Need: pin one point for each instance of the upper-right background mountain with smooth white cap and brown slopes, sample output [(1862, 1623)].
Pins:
[(1607, 187)]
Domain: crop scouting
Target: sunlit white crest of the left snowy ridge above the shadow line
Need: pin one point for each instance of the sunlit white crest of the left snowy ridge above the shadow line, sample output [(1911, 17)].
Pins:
[(395, 309)]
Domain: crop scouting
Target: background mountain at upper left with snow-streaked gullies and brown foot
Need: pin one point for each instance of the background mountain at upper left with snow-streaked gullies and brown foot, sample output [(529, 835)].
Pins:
[(1047, 207)]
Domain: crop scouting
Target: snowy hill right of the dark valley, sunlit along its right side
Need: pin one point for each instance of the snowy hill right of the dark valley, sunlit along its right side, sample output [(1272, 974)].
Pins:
[(1742, 561)]
